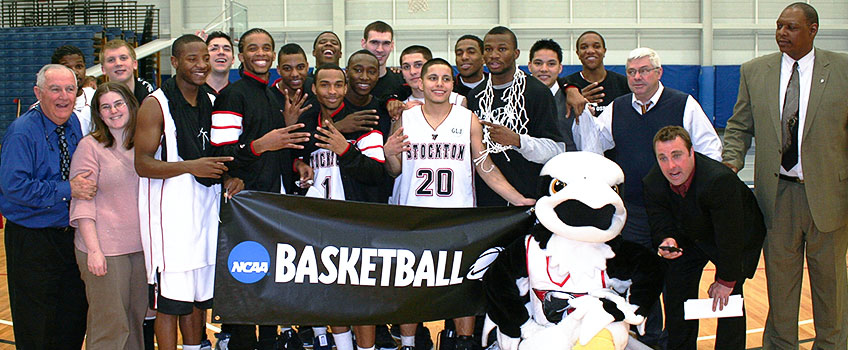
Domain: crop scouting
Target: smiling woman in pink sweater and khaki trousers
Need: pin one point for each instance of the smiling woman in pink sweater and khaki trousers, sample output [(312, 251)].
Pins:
[(107, 239)]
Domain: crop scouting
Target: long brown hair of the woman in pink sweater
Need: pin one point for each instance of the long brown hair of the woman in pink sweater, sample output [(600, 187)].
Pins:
[(101, 132)]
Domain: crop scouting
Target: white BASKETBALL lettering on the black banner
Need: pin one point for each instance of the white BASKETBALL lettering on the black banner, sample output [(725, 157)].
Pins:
[(358, 266)]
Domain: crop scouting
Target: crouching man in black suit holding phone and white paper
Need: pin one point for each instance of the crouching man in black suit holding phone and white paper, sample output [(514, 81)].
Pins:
[(700, 211)]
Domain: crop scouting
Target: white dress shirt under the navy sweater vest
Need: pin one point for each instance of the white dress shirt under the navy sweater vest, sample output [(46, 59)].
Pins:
[(595, 134)]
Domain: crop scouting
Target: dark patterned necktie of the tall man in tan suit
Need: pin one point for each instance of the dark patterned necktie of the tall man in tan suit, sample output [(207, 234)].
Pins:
[(789, 121)]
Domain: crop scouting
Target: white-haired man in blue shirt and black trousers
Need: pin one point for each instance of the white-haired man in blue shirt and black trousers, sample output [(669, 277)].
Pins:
[(45, 289)]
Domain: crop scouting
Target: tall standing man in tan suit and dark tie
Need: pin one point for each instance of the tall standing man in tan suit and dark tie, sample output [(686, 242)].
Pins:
[(794, 104)]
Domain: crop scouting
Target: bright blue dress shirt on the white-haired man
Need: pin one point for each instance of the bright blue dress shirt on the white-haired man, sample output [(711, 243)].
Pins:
[(32, 192)]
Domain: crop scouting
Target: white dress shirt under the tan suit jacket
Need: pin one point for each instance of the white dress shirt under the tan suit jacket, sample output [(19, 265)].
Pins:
[(805, 76)]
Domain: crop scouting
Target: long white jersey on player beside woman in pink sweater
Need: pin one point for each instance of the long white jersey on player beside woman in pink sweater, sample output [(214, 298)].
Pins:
[(178, 216)]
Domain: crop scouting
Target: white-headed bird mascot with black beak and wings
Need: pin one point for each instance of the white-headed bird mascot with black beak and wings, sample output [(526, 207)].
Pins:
[(573, 282)]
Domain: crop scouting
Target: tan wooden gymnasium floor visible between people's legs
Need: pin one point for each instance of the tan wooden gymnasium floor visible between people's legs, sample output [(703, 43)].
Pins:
[(756, 303)]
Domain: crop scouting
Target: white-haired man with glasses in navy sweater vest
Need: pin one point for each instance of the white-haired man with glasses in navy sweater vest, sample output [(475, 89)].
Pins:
[(638, 116)]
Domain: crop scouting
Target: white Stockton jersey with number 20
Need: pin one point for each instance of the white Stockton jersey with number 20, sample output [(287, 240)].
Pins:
[(438, 170)]
